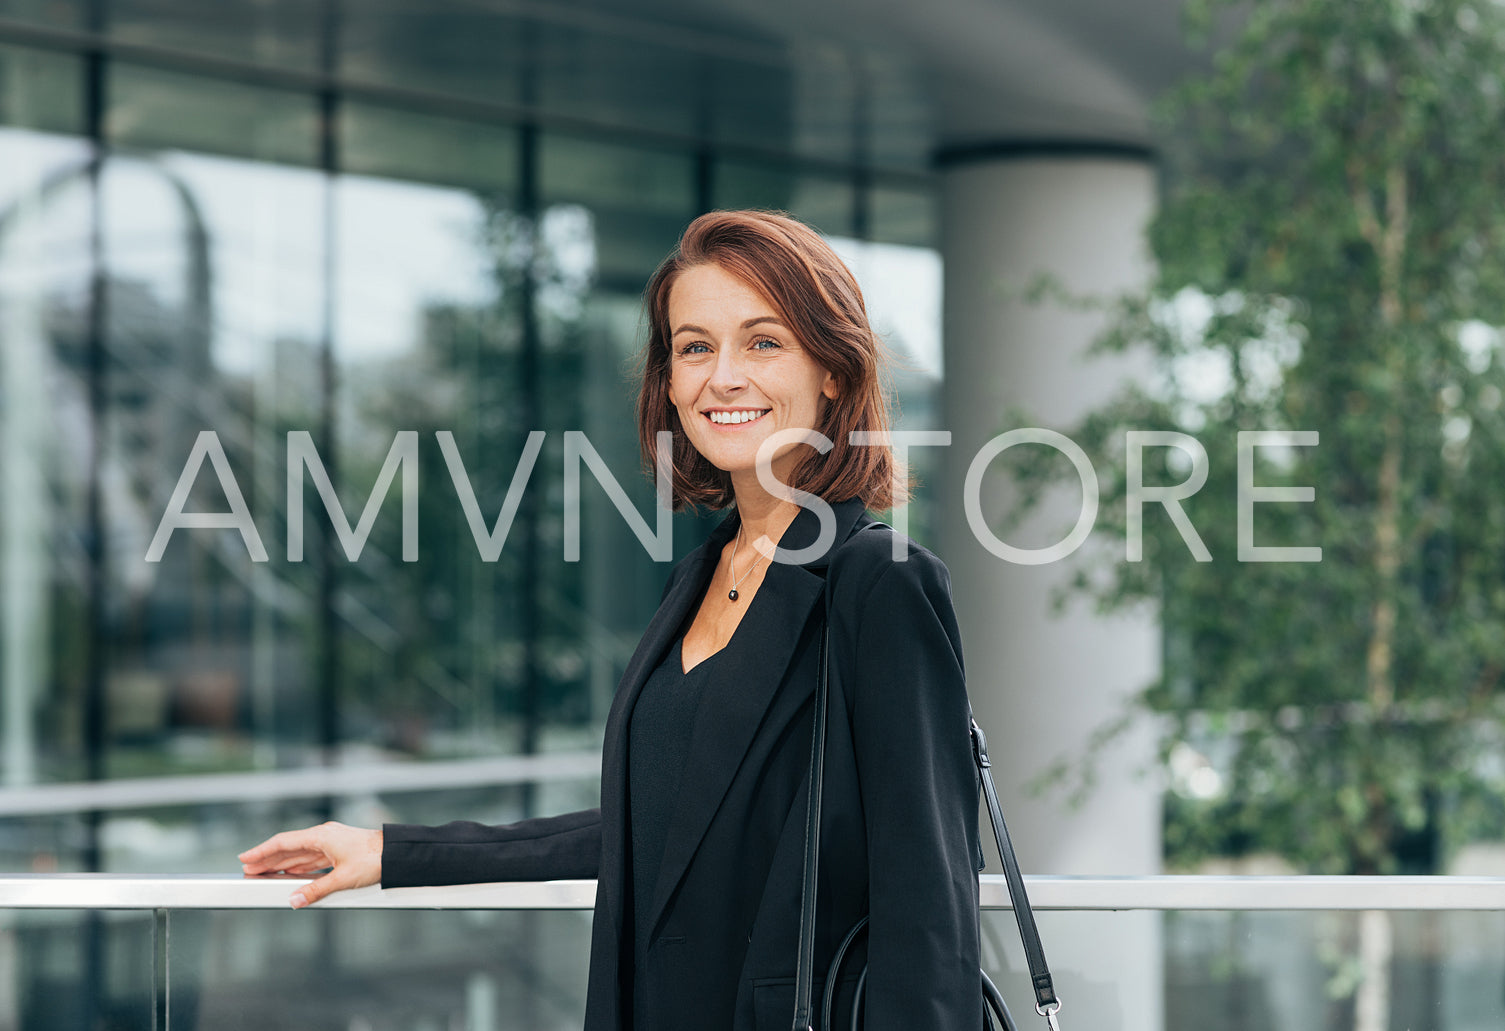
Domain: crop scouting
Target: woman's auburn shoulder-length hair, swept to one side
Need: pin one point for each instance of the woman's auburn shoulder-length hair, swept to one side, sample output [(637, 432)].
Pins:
[(819, 300)]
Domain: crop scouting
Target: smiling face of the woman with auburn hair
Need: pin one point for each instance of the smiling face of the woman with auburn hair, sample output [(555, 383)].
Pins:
[(738, 373)]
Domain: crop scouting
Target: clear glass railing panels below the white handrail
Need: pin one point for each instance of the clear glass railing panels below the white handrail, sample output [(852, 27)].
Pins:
[(400, 970)]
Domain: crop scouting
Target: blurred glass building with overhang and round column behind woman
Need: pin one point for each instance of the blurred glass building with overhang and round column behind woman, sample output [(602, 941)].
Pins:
[(353, 219)]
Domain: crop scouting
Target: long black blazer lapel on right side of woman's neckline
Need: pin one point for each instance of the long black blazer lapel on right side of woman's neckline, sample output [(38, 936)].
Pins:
[(732, 711)]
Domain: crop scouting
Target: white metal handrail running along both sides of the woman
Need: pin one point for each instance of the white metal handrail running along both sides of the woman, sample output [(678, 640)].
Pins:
[(1160, 893)]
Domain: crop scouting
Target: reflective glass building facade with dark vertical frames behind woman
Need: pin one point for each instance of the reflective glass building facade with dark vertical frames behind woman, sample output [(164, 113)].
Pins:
[(231, 227)]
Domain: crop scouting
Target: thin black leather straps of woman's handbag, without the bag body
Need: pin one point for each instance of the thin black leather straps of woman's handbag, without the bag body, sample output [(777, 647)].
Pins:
[(1047, 1002)]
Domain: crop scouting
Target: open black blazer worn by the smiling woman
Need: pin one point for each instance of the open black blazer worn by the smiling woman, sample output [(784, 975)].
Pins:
[(899, 817)]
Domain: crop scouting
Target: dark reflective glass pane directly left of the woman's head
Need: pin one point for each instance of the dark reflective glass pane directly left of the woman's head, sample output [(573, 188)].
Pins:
[(627, 208)]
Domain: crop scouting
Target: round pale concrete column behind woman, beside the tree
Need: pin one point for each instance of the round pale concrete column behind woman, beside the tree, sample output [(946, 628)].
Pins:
[(1042, 681)]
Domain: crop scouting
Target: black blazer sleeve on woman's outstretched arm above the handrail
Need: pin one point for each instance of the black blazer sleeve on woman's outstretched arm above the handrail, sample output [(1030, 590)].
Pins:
[(546, 848)]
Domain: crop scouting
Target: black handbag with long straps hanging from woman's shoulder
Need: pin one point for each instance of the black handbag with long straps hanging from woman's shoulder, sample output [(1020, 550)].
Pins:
[(1047, 1003)]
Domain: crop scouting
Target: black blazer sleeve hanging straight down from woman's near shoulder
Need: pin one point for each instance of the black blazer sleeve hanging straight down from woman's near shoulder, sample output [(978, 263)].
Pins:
[(911, 729)]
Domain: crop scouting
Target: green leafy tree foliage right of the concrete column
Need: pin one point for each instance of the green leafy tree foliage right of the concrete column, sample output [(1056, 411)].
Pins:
[(1331, 257)]
